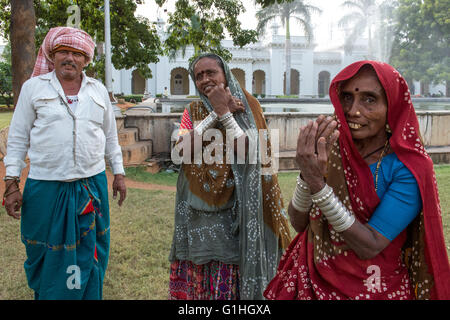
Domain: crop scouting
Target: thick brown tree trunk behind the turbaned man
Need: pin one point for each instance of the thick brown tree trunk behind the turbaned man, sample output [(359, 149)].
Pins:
[(23, 48)]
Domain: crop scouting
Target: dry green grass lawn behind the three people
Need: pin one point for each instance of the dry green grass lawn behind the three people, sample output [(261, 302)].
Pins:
[(141, 235)]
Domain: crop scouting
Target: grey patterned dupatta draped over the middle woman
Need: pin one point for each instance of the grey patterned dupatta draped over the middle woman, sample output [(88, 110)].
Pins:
[(240, 234)]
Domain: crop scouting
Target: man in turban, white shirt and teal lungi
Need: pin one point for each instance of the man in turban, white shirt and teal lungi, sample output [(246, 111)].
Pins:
[(65, 122)]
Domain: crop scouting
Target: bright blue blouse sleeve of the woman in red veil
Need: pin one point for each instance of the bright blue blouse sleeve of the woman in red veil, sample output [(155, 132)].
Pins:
[(400, 203)]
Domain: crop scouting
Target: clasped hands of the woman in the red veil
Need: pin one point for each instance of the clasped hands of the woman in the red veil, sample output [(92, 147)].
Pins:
[(314, 144)]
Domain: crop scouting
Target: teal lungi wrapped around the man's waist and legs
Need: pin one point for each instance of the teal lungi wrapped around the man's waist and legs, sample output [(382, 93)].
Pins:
[(65, 229)]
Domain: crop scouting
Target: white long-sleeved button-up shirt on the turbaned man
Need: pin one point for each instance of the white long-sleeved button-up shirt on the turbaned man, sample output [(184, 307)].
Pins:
[(62, 144)]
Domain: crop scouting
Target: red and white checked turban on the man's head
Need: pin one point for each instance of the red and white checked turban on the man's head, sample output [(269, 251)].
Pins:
[(58, 37)]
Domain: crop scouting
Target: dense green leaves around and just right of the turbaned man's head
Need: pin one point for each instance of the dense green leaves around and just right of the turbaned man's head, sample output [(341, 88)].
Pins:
[(135, 42)]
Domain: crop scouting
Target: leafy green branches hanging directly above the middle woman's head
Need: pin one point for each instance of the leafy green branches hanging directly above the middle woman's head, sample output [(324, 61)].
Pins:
[(202, 24)]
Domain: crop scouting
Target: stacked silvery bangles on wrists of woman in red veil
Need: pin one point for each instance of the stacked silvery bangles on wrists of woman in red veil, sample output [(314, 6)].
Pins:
[(332, 208)]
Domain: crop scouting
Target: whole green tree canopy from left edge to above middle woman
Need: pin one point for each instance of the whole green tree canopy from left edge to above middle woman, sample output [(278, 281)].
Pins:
[(135, 42)]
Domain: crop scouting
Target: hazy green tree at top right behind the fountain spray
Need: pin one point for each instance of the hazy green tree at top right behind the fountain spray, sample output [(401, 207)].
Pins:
[(421, 51)]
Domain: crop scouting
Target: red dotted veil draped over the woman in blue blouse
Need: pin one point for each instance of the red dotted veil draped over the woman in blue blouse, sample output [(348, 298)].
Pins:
[(319, 265)]
